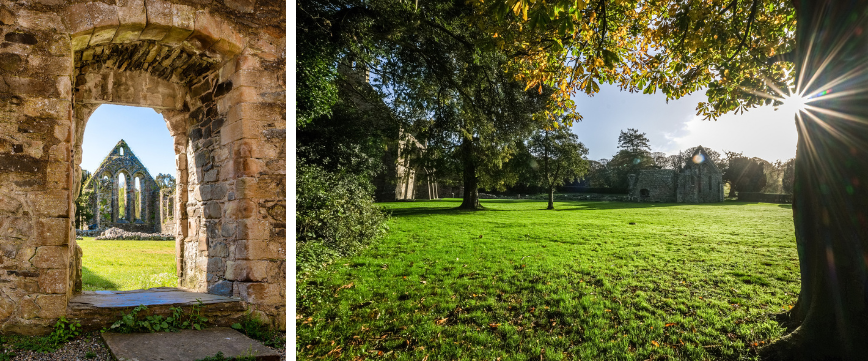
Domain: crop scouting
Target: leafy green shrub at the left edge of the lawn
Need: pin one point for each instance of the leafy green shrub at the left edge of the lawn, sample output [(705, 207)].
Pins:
[(335, 216)]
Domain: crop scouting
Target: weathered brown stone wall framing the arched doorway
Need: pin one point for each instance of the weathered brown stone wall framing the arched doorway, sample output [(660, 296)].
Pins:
[(215, 70)]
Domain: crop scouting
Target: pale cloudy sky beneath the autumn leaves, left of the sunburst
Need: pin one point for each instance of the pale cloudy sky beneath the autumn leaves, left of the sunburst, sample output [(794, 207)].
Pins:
[(761, 132)]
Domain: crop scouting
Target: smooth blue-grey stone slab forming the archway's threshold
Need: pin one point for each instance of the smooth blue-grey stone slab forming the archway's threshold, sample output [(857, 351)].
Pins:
[(148, 297)]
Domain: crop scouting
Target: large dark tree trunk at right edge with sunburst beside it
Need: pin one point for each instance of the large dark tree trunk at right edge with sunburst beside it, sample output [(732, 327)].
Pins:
[(830, 197)]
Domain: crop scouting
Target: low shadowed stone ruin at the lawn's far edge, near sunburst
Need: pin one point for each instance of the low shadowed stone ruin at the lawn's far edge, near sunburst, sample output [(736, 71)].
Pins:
[(698, 181)]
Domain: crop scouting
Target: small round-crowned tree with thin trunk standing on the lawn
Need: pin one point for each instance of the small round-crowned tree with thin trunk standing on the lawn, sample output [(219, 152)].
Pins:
[(560, 156)]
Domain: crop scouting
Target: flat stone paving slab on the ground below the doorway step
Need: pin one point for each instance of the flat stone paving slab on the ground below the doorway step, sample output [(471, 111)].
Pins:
[(185, 345)]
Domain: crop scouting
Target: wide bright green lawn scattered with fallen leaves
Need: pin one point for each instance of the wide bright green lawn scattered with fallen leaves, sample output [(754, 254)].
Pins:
[(516, 282)]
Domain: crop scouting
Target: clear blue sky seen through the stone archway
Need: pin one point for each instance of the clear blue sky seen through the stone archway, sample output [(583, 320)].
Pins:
[(143, 129)]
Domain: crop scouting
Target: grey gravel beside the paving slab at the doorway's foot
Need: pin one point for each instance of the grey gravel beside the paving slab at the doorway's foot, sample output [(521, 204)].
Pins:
[(77, 351)]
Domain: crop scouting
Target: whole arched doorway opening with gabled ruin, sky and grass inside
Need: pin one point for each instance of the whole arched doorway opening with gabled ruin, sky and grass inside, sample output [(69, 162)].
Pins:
[(125, 150)]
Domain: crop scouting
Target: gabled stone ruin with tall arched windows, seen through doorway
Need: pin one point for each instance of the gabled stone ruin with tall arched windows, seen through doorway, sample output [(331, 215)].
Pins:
[(139, 193)]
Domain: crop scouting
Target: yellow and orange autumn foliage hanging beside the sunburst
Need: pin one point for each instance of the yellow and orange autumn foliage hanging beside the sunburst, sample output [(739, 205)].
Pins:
[(730, 48)]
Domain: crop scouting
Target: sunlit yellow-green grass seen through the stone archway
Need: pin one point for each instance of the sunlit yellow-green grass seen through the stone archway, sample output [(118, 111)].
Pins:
[(127, 265)]
